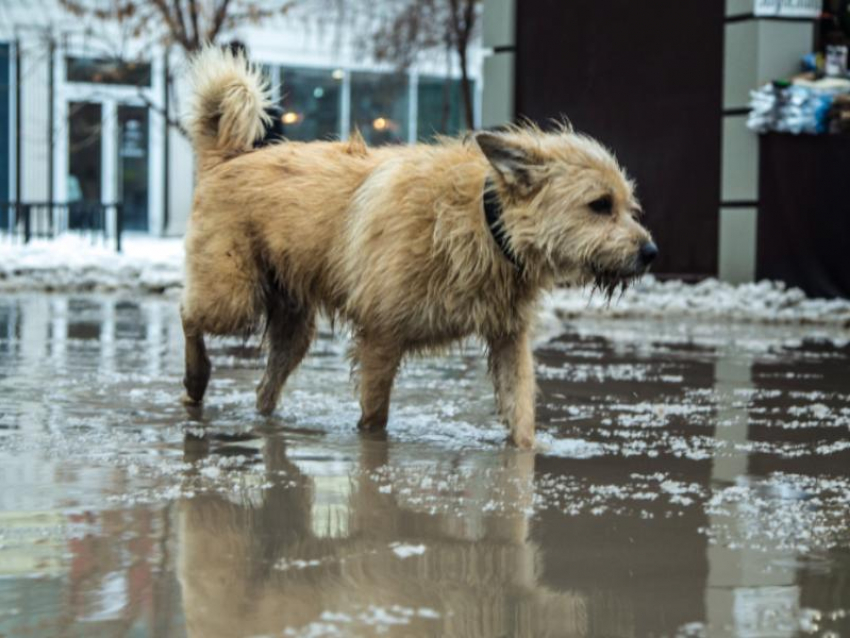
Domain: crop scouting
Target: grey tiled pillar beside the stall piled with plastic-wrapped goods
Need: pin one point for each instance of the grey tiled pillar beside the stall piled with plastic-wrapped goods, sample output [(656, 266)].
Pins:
[(757, 50)]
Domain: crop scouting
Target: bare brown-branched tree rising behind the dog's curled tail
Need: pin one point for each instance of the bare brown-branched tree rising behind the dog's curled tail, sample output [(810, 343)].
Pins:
[(185, 25)]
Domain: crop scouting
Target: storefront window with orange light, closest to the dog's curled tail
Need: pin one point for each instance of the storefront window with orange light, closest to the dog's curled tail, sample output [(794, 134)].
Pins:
[(311, 103)]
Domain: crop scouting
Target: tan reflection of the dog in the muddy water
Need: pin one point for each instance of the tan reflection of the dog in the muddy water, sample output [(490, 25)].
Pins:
[(320, 545)]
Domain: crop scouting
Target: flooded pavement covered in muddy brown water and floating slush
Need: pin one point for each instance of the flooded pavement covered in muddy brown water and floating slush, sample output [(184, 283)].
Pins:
[(693, 480)]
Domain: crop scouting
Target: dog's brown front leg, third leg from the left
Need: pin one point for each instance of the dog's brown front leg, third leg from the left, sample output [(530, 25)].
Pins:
[(378, 363)]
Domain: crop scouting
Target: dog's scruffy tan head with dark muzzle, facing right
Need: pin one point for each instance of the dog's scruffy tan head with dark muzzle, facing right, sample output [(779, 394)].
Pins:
[(568, 208)]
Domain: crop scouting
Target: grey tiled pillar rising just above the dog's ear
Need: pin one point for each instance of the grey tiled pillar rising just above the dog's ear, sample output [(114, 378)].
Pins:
[(499, 36)]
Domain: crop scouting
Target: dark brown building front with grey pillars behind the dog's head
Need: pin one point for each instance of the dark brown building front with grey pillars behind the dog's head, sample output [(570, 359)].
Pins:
[(667, 86)]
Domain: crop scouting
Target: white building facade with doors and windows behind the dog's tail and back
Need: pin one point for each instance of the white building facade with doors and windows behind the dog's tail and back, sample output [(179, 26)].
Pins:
[(88, 116)]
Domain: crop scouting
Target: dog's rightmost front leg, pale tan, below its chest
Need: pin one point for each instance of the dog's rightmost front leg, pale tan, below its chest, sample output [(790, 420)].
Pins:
[(512, 368)]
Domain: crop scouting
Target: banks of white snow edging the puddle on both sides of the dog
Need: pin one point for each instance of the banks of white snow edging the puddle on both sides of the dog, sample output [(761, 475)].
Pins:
[(71, 264)]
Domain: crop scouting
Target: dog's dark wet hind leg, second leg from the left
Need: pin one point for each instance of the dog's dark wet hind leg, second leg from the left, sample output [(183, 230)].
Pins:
[(289, 330)]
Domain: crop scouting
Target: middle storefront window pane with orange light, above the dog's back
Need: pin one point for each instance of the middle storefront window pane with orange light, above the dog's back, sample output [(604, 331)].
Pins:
[(379, 107)]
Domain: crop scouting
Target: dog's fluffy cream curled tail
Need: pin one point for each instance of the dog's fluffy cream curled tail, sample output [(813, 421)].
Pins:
[(228, 107)]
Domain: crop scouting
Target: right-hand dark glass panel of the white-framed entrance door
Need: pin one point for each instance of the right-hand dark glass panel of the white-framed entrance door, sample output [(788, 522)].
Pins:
[(132, 165)]
